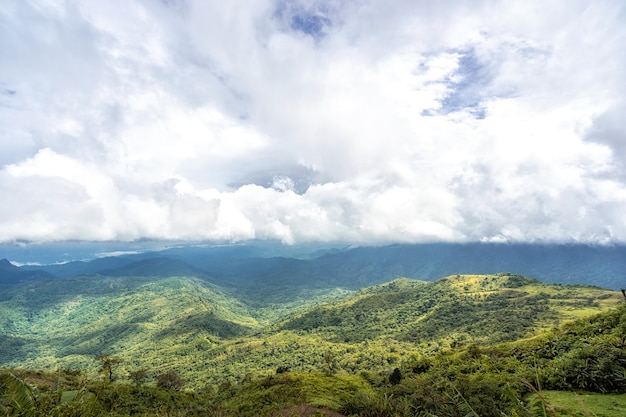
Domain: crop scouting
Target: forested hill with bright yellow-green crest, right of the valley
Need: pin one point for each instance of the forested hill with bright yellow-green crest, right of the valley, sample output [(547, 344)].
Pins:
[(476, 308)]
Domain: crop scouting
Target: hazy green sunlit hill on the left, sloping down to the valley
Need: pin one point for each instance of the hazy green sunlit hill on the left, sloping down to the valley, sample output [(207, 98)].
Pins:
[(73, 320)]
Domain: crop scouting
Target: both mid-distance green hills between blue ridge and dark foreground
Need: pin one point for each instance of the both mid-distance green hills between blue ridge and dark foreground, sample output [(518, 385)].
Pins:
[(211, 333)]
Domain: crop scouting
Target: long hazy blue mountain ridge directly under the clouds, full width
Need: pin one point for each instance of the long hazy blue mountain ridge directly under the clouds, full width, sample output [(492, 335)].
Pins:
[(354, 268)]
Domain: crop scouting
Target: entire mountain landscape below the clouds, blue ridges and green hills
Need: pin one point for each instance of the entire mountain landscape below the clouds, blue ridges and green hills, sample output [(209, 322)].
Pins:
[(250, 331)]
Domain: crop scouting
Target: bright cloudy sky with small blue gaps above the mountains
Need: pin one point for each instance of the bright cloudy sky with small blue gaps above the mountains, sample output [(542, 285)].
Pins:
[(363, 121)]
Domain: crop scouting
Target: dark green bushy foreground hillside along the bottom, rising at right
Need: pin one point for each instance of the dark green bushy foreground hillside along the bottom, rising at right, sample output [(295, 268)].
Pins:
[(577, 368)]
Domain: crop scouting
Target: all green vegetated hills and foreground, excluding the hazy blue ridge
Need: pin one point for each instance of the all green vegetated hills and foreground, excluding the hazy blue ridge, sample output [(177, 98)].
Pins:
[(180, 347)]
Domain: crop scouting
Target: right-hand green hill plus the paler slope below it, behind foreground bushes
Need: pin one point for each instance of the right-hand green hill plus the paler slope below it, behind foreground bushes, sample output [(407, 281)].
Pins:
[(394, 324)]
